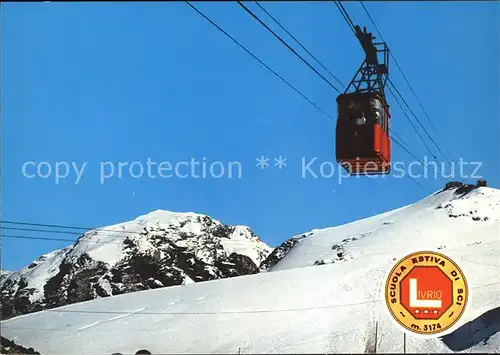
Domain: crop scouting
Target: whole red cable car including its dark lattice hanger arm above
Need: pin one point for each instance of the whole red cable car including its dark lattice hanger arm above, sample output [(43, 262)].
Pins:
[(363, 145)]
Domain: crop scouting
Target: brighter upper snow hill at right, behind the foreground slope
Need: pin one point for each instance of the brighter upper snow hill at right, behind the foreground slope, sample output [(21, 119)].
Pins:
[(442, 221)]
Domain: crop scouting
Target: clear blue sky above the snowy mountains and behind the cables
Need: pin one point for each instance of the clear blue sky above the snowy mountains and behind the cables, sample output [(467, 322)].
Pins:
[(96, 82)]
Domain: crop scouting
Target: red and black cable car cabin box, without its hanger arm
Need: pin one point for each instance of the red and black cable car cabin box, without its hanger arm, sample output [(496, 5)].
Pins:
[(362, 139)]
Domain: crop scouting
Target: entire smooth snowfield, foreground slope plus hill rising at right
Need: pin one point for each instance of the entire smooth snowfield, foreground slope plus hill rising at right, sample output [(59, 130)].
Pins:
[(322, 293)]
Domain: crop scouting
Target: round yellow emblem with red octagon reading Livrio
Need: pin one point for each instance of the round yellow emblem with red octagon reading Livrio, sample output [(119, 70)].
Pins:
[(426, 292)]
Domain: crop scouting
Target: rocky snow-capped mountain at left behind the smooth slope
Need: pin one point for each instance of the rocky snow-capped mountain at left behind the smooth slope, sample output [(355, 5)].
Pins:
[(156, 250)]
